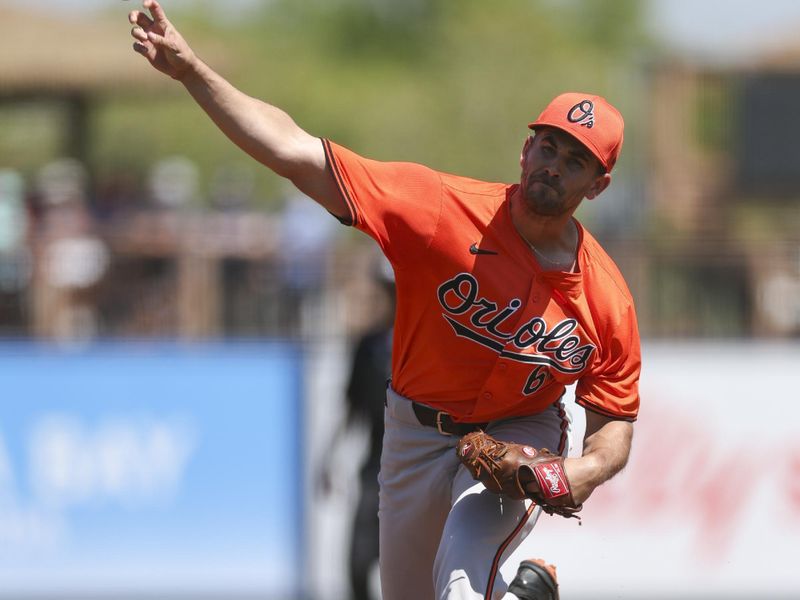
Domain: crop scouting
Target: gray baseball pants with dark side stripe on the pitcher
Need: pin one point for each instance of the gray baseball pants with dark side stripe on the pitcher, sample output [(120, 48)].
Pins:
[(442, 534)]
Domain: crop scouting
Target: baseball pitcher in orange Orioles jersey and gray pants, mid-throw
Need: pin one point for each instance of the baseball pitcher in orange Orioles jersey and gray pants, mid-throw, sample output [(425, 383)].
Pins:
[(503, 299)]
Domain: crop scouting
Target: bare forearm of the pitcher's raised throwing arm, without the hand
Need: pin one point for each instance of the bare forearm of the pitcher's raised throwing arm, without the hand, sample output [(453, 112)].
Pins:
[(263, 131)]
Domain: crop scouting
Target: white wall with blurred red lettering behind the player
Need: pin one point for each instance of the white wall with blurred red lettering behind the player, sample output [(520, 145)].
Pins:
[(709, 505)]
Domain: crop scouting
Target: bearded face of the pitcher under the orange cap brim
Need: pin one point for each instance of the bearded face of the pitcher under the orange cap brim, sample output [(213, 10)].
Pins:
[(558, 172)]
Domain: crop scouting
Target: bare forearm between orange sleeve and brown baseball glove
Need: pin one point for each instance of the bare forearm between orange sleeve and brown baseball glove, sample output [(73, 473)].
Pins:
[(606, 447)]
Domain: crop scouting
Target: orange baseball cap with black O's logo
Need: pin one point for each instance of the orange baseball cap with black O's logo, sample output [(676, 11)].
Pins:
[(591, 119)]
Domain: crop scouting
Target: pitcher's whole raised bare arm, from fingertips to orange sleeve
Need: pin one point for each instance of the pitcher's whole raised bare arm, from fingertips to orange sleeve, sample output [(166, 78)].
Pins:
[(264, 131)]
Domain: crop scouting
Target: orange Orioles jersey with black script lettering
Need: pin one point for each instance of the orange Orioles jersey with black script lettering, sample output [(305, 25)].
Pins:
[(481, 330)]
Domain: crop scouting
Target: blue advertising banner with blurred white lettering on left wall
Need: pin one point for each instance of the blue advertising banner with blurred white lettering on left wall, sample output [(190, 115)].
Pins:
[(149, 469)]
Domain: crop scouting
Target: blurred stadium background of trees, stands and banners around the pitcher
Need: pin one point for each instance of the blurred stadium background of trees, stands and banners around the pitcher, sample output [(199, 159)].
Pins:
[(179, 328)]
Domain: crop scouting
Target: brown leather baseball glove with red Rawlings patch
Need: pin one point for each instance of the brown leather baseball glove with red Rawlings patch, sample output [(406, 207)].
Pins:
[(518, 471)]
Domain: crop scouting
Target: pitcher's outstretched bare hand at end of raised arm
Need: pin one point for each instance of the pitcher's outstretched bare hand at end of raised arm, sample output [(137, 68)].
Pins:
[(159, 42)]
